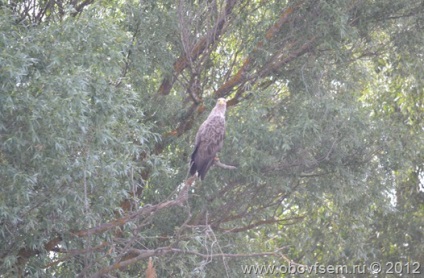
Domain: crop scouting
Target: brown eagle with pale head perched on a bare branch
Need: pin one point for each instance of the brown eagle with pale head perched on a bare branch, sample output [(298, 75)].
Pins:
[(209, 140)]
